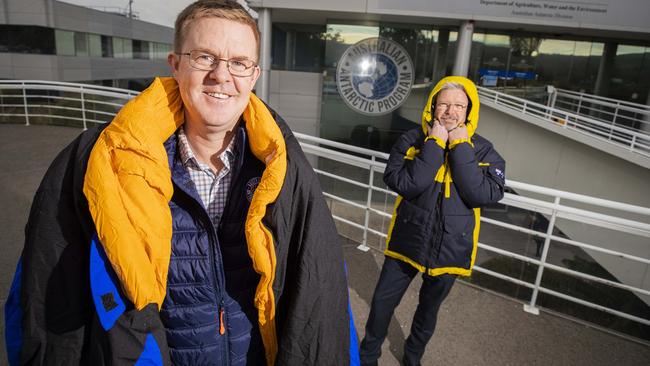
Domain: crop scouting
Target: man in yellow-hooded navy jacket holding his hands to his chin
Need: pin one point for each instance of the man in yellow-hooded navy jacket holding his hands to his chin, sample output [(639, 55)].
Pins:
[(444, 174)]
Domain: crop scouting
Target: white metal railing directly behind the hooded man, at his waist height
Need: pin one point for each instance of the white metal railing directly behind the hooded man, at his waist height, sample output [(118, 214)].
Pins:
[(554, 208)]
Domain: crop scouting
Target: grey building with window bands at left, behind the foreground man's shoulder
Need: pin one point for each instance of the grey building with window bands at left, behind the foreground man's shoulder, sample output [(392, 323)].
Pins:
[(51, 40)]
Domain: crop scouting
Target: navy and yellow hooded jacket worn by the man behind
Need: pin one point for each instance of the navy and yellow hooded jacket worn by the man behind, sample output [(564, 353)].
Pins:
[(441, 187)]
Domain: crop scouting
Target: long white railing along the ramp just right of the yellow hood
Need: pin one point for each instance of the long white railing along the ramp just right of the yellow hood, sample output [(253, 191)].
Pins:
[(632, 139)]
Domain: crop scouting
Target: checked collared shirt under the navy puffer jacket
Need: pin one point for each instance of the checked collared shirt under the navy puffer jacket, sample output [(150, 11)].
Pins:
[(212, 187)]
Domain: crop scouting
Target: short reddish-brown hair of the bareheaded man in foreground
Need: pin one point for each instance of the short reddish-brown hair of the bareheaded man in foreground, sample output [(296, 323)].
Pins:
[(224, 9)]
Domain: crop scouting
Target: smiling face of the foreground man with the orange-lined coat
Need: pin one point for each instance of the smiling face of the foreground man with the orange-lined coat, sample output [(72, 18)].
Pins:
[(215, 99)]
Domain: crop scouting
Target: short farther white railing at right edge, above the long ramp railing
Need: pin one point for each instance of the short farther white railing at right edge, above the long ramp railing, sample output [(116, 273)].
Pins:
[(624, 114)]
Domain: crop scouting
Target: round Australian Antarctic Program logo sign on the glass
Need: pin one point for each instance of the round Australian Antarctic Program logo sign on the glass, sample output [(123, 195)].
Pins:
[(374, 76)]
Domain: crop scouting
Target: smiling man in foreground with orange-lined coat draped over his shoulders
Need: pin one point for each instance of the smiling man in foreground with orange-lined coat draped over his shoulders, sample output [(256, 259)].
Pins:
[(201, 223)]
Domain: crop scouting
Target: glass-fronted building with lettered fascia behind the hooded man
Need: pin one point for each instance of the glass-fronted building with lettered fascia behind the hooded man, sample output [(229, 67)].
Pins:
[(598, 47)]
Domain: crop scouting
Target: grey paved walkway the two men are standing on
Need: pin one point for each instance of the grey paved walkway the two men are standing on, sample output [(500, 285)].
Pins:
[(475, 327)]
